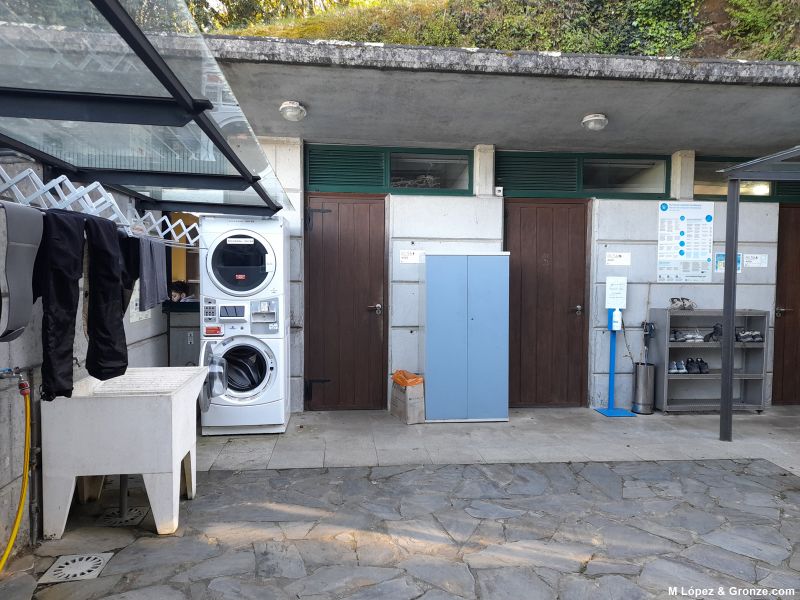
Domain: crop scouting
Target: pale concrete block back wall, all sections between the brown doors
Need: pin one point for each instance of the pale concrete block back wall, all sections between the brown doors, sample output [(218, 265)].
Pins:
[(475, 223)]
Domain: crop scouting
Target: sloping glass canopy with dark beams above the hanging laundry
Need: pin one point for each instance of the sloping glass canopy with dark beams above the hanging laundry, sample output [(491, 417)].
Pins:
[(127, 92)]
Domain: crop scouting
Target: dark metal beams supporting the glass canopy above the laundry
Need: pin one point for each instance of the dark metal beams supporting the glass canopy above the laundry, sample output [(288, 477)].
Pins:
[(176, 110)]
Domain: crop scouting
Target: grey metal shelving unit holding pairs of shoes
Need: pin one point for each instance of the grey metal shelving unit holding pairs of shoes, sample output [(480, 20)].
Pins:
[(701, 393)]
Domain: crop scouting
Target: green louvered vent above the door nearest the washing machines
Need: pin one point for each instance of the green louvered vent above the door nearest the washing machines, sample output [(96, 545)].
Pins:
[(330, 168)]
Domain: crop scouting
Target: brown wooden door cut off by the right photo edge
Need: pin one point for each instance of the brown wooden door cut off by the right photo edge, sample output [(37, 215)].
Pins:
[(786, 375)]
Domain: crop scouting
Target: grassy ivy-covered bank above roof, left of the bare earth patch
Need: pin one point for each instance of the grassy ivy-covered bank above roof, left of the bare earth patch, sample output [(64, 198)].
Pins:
[(602, 26)]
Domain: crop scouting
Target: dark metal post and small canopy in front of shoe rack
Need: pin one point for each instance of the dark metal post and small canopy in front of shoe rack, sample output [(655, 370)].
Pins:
[(754, 170)]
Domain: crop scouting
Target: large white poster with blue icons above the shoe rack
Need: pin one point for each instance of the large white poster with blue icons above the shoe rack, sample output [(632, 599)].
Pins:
[(685, 240)]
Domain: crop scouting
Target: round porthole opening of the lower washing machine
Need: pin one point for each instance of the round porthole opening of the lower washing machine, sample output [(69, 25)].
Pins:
[(251, 369)]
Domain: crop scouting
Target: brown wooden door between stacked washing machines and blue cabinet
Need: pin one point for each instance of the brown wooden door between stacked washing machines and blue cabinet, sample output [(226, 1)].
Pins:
[(345, 274)]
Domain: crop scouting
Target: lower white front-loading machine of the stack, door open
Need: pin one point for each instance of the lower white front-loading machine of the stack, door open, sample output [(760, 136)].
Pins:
[(256, 400)]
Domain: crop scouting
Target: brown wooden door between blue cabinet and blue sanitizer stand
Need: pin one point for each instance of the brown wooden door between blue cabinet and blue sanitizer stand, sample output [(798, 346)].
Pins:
[(548, 334)]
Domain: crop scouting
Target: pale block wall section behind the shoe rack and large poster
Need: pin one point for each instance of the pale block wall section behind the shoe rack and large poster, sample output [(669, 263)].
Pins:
[(632, 226)]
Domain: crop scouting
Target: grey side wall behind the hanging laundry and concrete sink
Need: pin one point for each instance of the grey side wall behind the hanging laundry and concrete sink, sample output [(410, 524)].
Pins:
[(147, 346)]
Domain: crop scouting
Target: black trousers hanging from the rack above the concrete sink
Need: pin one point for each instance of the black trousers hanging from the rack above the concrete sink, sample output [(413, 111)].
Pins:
[(59, 267)]
